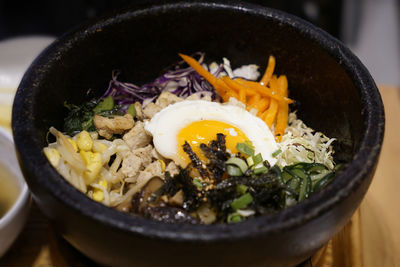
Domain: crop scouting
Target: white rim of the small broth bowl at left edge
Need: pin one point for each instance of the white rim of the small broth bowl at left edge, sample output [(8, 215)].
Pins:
[(23, 195)]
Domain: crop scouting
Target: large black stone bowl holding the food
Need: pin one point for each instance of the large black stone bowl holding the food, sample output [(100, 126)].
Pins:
[(335, 94)]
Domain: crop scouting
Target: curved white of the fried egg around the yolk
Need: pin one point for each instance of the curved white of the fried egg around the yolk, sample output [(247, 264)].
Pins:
[(167, 123)]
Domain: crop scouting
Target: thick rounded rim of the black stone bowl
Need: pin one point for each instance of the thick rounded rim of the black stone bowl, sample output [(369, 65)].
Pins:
[(347, 181)]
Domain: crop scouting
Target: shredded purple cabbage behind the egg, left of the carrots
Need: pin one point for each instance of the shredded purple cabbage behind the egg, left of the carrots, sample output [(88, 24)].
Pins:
[(180, 80)]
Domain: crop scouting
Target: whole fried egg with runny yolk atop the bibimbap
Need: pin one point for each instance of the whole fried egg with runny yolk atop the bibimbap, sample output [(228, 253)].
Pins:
[(199, 121)]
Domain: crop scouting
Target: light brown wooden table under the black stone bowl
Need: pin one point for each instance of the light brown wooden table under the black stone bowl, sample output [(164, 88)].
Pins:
[(370, 239)]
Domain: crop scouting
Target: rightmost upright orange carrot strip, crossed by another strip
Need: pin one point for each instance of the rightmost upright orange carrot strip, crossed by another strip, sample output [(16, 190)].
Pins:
[(283, 109)]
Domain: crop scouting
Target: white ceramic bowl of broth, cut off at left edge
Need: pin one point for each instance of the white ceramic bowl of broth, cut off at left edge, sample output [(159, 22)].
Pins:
[(13, 221)]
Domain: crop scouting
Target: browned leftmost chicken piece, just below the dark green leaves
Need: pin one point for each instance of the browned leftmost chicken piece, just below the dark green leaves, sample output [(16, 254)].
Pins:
[(109, 126)]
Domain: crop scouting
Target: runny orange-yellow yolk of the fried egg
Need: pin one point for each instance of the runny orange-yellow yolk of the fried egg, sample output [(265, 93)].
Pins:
[(205, 131)]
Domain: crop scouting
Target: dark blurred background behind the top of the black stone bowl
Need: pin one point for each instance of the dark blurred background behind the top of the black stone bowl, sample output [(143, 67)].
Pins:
[(369, 27)]
